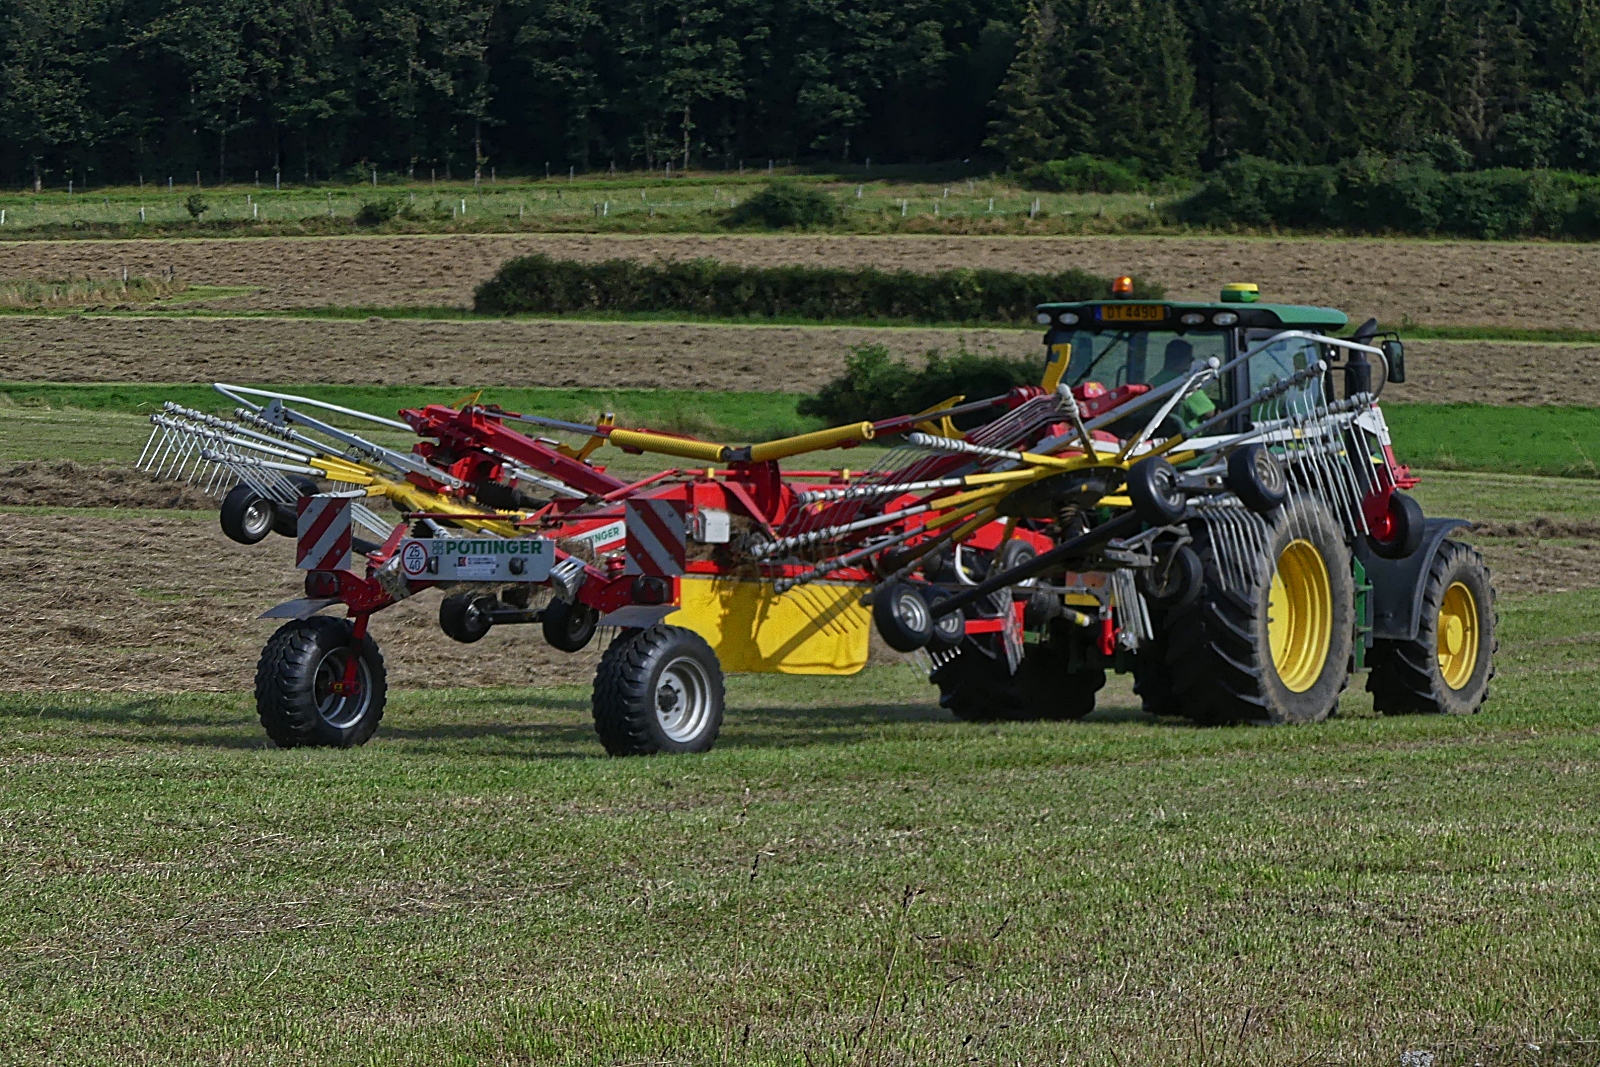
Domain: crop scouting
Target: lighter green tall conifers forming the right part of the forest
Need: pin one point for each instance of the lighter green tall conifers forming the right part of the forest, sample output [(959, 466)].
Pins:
[(1183, 86)]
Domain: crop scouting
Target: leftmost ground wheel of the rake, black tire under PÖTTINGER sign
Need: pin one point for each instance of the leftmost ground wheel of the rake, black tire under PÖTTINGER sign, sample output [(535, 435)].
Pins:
[(298, 677)]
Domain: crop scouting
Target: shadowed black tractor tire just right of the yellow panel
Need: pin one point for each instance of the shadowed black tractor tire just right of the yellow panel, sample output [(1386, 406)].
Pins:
[(980, 689)]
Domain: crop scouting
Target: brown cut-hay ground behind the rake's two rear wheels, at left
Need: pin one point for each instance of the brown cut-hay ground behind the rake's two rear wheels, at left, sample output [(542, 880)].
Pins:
[(169, 604)]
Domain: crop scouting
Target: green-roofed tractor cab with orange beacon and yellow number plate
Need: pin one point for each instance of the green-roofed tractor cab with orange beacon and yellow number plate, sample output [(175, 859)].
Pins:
[(1122, 343)]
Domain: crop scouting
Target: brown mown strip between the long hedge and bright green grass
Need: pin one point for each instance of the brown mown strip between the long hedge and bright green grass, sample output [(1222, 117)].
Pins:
[(634, 356)]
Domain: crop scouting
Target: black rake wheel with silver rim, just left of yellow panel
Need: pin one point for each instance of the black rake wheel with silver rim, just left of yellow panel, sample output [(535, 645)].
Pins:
[(658, 690)]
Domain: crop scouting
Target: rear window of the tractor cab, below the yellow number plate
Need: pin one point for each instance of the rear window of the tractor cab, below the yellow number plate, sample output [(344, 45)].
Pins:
[(1148, 358)]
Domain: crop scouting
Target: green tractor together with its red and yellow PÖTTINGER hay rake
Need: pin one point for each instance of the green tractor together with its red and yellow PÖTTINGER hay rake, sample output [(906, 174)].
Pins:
[(1223, 526)]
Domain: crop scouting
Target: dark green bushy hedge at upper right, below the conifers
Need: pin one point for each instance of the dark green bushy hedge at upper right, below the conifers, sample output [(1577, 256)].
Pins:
[(1377, 196)]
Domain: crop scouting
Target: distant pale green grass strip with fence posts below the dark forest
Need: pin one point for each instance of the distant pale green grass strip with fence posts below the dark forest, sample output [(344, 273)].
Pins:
[(593, 202)]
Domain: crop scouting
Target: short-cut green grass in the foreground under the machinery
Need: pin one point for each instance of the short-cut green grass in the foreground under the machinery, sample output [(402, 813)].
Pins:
[(847, 879)]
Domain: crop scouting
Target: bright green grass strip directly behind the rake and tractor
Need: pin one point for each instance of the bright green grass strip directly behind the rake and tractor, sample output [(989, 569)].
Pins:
[(1553, 442)]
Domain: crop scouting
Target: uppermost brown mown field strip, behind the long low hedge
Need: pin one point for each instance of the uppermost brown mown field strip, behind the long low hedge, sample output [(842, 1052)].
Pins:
[(1532, 286)]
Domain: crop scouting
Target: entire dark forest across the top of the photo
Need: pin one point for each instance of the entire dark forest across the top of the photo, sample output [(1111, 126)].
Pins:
[(108, 90)]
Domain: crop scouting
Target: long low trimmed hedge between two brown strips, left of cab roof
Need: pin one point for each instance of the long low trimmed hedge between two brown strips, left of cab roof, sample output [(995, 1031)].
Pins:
[(706, 287)]
